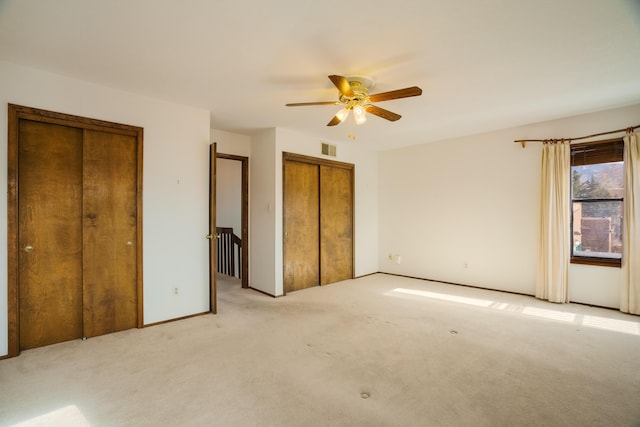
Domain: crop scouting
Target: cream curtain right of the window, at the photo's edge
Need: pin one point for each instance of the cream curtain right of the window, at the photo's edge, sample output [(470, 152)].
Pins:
[(630, 289)]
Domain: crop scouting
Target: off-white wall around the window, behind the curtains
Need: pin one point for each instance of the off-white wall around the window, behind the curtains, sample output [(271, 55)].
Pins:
[(474, 200)]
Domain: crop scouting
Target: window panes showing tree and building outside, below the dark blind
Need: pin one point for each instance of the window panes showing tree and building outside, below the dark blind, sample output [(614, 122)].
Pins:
[(597, 197)]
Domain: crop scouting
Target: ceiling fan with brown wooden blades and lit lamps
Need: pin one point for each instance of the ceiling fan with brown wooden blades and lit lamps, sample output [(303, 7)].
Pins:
[(354, 95)]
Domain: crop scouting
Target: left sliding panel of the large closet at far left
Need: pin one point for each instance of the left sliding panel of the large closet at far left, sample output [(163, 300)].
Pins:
[(49, 233)]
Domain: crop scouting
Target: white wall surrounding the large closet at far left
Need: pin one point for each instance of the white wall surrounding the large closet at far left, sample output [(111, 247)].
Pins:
[(175, 183)]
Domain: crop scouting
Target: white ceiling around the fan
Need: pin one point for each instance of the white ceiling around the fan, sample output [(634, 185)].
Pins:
[(482, 64)]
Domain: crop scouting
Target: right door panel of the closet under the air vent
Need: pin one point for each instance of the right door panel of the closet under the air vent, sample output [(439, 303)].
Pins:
[(336, 224)]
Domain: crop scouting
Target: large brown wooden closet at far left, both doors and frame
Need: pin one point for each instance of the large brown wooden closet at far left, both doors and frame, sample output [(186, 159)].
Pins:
[(74, 227)]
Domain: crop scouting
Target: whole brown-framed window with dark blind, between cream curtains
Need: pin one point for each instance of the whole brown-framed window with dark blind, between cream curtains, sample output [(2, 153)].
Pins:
[(597, 184)]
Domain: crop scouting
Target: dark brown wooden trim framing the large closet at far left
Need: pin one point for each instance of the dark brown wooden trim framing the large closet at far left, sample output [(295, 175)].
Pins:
[(17, 113)]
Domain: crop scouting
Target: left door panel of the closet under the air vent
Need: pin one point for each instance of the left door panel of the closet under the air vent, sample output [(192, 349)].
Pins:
[(301, 226)]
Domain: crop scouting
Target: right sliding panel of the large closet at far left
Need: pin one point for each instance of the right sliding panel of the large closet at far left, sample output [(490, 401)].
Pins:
[(109, 224)]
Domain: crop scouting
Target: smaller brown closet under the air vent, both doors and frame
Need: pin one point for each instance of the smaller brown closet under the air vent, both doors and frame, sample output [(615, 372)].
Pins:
[(318, 221)]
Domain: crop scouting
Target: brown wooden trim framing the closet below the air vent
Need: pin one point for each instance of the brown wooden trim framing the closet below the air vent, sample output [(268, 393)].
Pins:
[(286, 156)]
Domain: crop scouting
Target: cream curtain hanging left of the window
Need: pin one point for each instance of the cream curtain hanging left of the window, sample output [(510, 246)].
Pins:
[(555, 225)]
